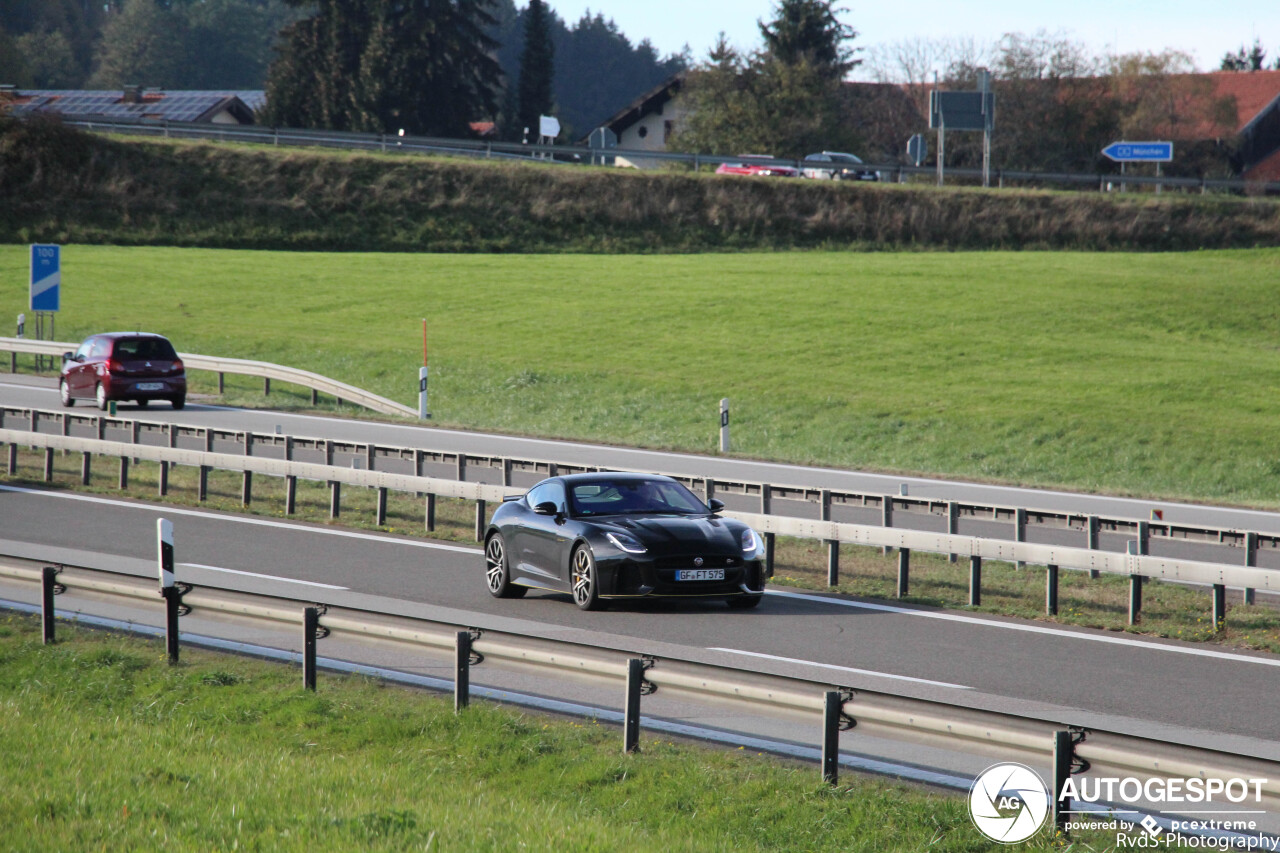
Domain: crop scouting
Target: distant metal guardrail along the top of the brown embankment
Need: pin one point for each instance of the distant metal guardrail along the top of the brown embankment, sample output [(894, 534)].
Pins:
[(578, 154)]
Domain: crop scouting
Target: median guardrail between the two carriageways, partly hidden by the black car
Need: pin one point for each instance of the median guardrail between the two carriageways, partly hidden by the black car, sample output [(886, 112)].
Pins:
[(372, 467)]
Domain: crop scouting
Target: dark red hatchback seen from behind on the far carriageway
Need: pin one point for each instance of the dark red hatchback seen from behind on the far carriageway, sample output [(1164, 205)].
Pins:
[(124, 366)]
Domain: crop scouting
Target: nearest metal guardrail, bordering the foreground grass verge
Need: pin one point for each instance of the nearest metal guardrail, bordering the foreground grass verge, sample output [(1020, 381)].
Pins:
[(874, 713)]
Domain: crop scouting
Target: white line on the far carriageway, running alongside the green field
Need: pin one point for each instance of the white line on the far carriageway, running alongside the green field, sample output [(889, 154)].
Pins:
[(1137, 505)]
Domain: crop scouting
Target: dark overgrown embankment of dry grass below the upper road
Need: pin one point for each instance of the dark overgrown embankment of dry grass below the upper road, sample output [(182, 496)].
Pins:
[(65, 186)]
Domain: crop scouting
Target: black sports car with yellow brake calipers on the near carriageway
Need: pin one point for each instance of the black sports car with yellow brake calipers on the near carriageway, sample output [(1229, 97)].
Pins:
[(621, 536)]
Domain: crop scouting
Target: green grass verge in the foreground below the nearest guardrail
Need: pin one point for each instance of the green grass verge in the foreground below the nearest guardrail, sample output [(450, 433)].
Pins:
[(106, 747)]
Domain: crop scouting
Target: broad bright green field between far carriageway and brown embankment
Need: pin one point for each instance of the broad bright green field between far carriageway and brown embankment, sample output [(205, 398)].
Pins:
[(1124, 373)]
